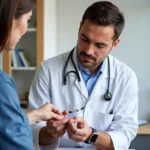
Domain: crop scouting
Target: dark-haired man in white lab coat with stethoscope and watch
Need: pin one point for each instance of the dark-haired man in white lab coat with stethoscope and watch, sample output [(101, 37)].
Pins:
[(97, 93)]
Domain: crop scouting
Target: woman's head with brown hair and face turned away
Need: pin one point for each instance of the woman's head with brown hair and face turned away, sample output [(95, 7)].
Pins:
[(14, 17)]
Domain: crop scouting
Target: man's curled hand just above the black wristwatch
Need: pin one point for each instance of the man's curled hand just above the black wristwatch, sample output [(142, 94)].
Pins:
[(79, 132)]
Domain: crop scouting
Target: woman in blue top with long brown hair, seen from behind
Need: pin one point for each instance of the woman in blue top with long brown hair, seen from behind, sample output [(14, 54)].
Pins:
[(15, 131)]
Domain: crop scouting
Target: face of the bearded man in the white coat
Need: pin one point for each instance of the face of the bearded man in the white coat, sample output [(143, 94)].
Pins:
[(94, 44)]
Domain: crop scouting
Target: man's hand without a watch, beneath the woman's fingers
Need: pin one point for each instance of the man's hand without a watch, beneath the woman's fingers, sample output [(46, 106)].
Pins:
[(57, 128)]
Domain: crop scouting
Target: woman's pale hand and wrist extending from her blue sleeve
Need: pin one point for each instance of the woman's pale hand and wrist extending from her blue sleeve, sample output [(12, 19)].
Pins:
[(44, 113)]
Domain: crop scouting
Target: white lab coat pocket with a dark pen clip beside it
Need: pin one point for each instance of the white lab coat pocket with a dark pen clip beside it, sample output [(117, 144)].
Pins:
[(104, 121)]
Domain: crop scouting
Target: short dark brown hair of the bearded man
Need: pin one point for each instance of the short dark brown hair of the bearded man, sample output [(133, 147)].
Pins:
[(106, 14)]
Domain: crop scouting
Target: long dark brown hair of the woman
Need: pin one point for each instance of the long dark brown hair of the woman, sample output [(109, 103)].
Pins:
[(10, 9)]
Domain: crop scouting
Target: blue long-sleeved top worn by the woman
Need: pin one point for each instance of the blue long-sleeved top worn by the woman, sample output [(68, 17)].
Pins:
[(15, 131)]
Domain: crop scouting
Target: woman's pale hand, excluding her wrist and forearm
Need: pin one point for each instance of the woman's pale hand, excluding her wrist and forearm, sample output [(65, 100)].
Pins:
[(49, 111)]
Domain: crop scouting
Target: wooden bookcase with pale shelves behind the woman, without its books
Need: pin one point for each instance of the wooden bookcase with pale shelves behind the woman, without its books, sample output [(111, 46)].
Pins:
[(33, 45)]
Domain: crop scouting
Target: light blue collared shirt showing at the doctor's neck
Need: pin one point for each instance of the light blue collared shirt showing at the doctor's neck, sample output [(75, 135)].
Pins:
[(89, 79)]
